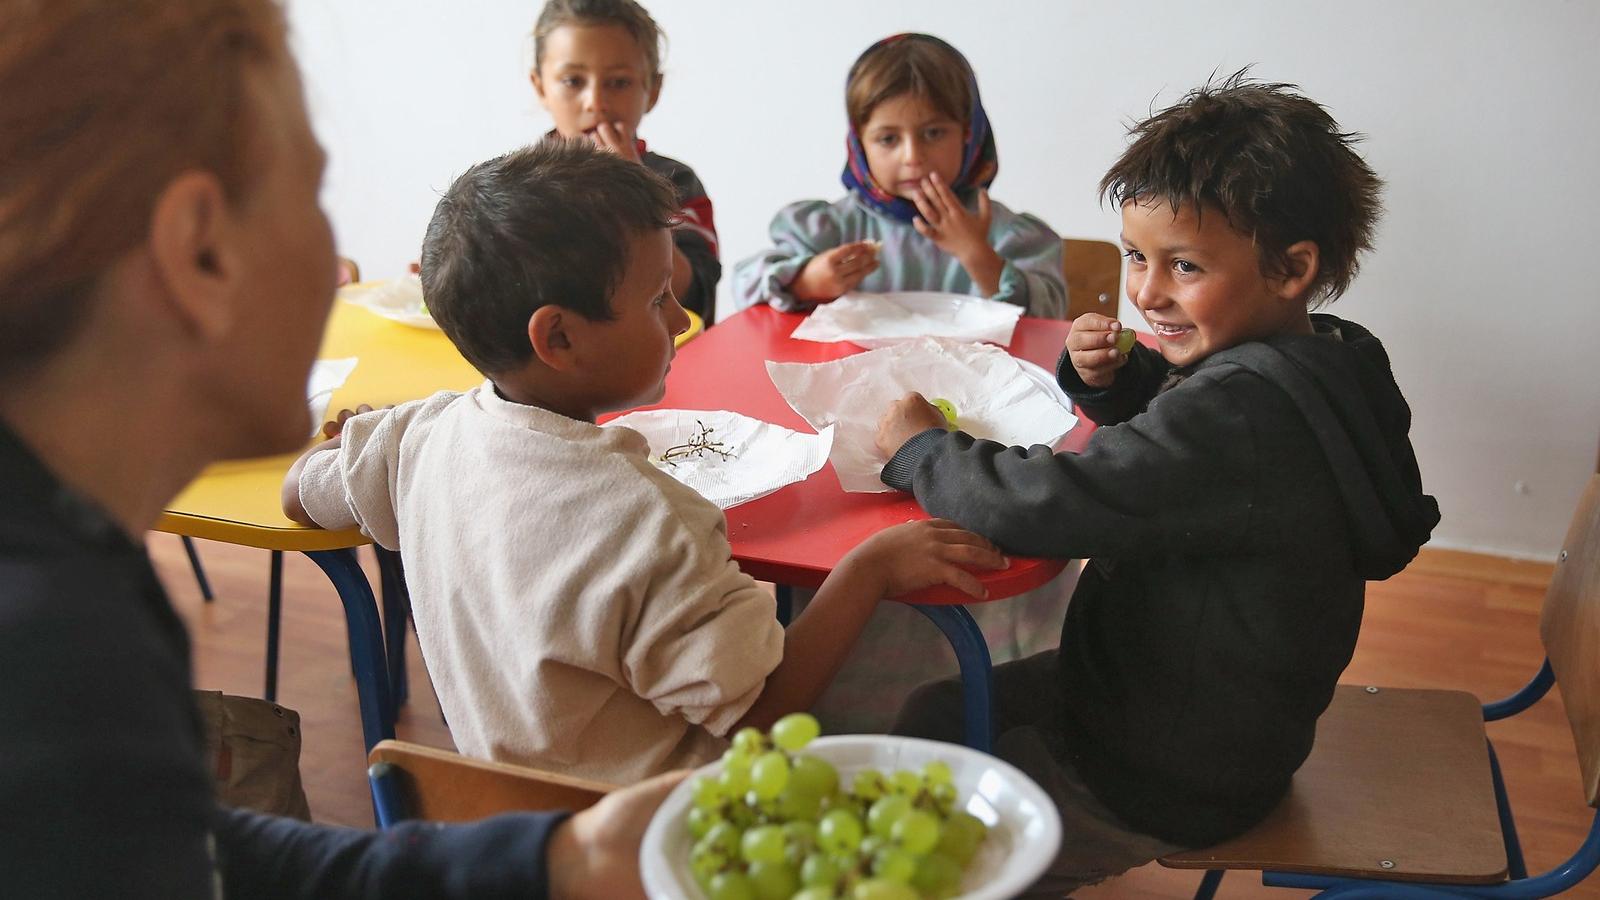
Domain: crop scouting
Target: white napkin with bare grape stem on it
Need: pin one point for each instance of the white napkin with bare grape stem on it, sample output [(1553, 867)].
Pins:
[(761, 457)]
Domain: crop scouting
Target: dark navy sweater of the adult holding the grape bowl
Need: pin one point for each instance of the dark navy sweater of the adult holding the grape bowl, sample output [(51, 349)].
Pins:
[(103, 787)]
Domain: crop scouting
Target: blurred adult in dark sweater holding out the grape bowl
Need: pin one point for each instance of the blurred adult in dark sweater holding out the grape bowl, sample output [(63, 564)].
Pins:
[(166, 271)]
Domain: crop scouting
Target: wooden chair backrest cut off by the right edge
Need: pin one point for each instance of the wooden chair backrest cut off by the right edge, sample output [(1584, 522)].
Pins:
[(1570, 629)]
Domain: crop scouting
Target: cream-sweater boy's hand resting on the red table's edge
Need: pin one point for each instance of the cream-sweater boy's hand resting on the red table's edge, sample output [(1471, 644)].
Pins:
[(921, 555)]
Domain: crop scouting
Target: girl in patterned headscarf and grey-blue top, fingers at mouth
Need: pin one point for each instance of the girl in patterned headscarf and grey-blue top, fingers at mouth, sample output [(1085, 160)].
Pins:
[(919, 214)]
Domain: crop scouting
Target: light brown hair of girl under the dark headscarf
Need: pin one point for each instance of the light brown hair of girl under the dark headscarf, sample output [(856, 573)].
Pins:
[(910, 65)]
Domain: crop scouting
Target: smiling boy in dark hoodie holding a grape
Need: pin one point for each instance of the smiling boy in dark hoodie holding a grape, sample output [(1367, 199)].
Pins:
[(1247, 481)]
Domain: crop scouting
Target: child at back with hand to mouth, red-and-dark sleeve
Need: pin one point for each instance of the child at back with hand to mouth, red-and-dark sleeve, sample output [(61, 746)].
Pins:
[(598, 71)]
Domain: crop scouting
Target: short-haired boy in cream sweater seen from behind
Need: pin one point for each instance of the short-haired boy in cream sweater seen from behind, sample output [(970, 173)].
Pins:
[(578, 608)]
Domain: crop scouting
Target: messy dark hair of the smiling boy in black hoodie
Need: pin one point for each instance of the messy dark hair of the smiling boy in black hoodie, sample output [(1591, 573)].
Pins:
[(1271, 161)]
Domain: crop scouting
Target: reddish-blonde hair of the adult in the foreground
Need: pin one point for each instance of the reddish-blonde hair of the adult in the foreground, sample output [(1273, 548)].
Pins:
[(102, 105)]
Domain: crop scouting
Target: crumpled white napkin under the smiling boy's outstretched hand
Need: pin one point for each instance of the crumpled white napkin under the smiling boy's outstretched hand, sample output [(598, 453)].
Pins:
[(994, 396)]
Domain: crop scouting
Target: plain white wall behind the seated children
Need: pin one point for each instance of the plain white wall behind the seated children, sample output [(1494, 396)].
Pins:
[(1482, 116)]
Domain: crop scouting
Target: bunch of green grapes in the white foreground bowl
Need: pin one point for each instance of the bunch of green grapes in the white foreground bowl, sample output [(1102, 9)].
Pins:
[(778, 826)]
